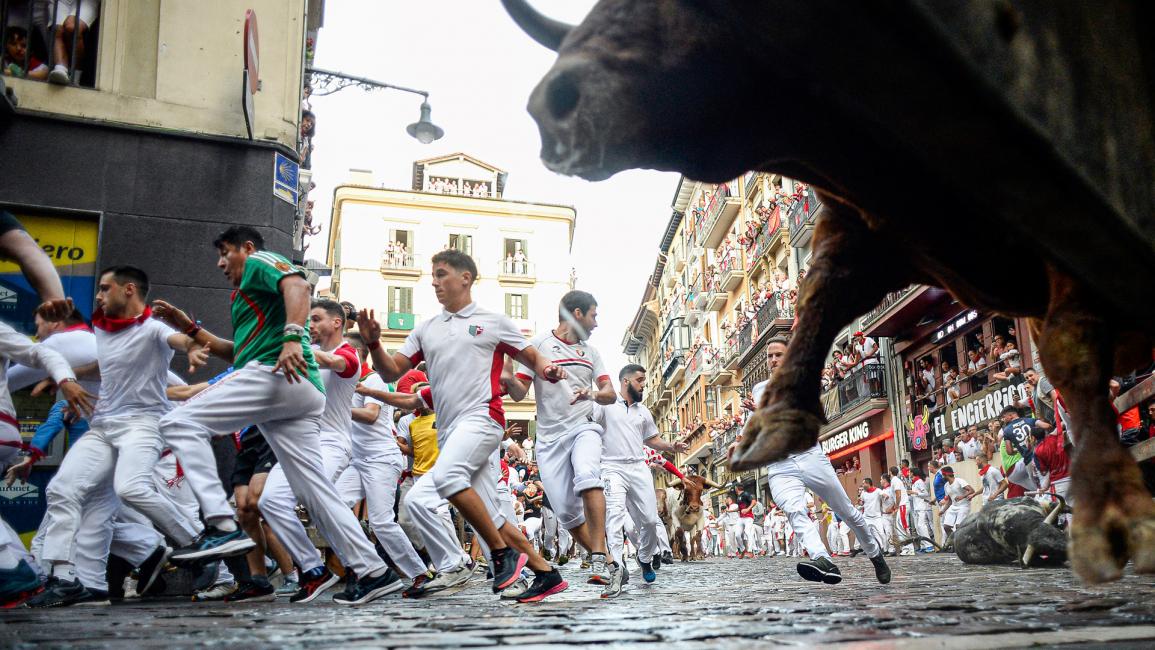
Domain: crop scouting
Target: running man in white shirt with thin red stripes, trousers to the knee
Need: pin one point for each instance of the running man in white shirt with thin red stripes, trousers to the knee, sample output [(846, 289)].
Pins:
[(569, 444)]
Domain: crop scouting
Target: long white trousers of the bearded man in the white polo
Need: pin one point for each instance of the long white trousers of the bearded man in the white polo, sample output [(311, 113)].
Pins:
[(630, 491)]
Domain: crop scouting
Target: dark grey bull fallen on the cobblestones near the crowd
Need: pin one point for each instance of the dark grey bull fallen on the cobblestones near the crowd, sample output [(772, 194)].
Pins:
[(1001, 533)]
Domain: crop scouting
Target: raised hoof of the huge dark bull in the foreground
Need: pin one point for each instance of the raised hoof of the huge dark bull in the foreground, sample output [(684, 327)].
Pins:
[(772, 435)]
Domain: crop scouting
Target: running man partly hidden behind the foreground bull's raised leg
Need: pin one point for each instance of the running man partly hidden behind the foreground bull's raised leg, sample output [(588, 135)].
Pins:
[(789, 480)]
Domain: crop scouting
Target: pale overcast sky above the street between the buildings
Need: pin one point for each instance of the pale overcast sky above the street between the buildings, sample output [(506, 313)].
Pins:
[(479, 69)]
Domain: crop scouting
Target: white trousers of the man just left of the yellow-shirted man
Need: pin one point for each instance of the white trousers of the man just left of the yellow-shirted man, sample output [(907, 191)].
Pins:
[(379, 477)]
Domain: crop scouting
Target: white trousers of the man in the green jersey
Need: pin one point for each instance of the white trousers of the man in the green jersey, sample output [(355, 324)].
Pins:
[(288, 416)]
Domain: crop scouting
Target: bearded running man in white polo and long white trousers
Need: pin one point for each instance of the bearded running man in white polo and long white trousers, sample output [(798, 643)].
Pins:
[(629, 483)]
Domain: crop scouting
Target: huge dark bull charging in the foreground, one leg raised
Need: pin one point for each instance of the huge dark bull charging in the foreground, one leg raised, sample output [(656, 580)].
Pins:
[(1029, 125)]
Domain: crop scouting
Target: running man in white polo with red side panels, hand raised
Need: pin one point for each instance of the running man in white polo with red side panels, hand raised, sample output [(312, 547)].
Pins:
[(464, 350)]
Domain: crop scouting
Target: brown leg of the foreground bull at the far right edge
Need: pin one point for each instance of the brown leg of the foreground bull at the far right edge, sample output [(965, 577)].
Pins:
[(1114, 514)]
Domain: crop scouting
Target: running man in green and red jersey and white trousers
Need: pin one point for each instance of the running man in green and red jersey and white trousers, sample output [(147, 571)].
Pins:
[(278, 387)]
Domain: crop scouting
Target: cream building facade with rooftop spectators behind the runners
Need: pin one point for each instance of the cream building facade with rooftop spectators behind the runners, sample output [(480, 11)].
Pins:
[(383, 241)]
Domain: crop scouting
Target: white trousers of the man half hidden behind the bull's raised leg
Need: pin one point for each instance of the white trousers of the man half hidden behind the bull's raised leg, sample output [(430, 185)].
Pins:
[(789, 481)]
